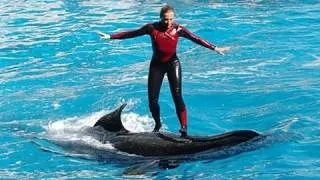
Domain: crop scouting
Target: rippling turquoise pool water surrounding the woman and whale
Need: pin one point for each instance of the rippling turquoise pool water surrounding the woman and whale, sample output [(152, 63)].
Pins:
[(57, 78)]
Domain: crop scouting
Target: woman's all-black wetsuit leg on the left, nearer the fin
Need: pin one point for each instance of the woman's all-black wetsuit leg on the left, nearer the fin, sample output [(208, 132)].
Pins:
[(156, 74)]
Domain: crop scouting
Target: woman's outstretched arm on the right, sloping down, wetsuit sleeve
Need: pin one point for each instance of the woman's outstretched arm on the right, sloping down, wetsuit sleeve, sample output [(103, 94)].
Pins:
[(189, 35)]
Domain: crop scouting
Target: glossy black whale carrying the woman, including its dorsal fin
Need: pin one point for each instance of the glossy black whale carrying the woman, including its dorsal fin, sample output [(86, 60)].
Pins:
[(149, 144)]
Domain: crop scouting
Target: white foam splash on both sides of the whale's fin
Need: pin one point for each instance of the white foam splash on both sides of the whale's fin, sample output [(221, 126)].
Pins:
[(72, 130)]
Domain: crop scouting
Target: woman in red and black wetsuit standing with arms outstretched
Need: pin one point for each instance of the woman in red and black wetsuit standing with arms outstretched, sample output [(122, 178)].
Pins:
[(164, 35)]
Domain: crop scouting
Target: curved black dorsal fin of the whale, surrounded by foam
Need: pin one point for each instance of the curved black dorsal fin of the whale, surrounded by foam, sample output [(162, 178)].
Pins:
[(112, 121)]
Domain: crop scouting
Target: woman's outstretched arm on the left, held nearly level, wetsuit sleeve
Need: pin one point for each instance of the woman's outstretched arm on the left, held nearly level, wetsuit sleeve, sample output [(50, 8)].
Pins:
[(126, 34)]
